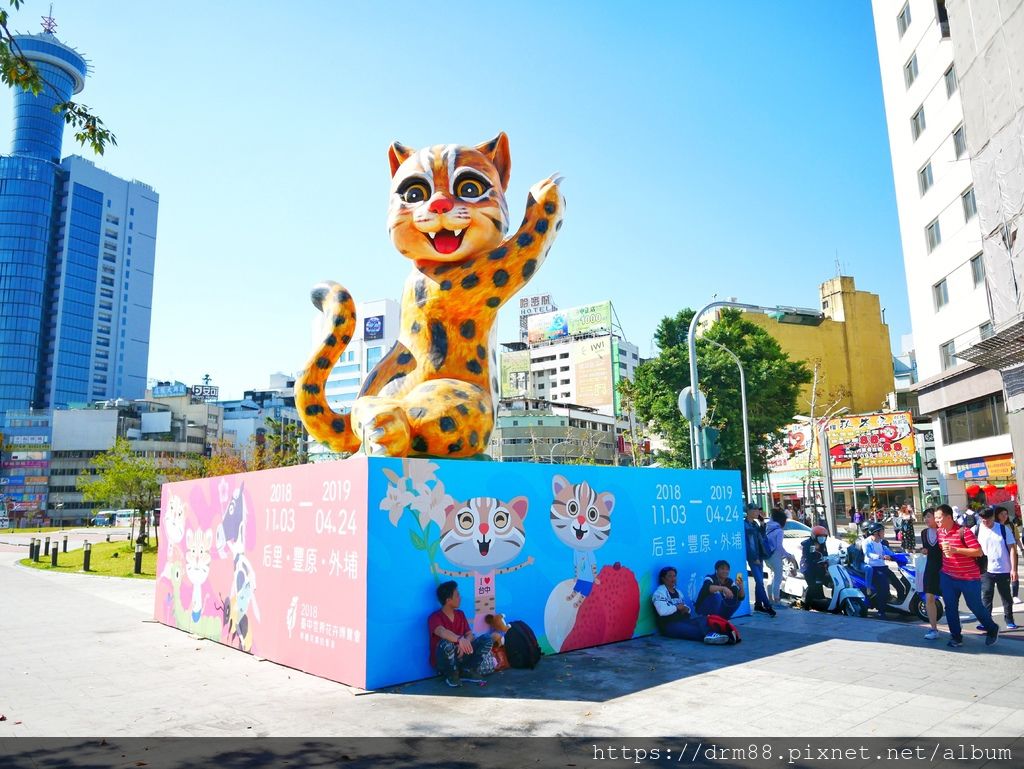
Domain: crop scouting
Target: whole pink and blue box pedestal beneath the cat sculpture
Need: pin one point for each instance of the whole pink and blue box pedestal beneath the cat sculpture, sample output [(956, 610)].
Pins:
[(332, 569)]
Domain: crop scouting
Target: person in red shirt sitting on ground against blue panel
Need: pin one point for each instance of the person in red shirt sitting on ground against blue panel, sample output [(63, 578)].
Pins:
[(453, 649)]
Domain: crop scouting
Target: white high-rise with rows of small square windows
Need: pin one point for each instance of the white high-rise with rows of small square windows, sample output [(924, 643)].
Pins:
[(943, 243)]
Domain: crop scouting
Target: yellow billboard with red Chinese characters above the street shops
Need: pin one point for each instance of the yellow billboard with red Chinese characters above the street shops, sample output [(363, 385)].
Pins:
[(874, 440)]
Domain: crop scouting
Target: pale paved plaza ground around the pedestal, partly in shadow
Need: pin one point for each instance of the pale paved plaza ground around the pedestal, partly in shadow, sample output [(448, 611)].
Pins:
[(81, 658)]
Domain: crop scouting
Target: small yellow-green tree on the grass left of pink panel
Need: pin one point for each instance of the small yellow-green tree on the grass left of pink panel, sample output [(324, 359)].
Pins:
[(122, 477)]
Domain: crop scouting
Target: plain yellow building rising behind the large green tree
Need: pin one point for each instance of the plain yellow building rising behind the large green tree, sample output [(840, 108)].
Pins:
[(849, 353)]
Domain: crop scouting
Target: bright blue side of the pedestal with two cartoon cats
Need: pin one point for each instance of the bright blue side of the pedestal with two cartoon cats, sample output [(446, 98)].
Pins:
[(572, 550)]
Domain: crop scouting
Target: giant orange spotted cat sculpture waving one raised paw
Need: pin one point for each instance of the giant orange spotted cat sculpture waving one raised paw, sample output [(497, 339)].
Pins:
[(436, 392)]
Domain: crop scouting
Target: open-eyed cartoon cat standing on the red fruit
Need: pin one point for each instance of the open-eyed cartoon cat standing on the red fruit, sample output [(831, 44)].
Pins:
[(582, 520)]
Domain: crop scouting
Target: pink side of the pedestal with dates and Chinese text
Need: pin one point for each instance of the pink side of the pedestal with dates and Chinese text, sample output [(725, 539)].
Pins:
[(273, 564)]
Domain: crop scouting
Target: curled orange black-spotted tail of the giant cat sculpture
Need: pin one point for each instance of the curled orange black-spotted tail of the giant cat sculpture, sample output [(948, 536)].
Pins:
[(324, 424)]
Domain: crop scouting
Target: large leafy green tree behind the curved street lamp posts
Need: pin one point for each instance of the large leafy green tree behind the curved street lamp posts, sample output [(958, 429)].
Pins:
[(774, 382)]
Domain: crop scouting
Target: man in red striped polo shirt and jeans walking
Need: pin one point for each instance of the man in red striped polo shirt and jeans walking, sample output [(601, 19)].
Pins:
[(961, 577)]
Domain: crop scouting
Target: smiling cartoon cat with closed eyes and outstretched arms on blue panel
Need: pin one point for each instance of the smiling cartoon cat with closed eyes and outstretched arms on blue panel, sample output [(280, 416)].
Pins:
[(484, 534)]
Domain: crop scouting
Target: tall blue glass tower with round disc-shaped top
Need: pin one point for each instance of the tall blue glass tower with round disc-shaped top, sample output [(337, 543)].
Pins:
[(75, 301)]
